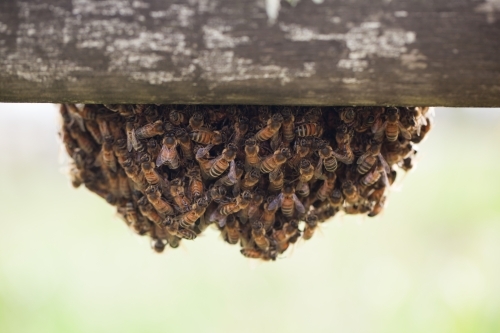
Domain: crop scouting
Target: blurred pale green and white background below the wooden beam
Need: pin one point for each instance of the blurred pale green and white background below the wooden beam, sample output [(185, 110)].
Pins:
[(429, 263)]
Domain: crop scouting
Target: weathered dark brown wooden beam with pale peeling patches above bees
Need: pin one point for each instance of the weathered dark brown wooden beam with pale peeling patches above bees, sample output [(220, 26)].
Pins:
[(360, 52)]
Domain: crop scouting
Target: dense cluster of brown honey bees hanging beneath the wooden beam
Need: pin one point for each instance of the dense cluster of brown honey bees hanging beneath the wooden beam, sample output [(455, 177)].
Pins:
[(265, 176)]
